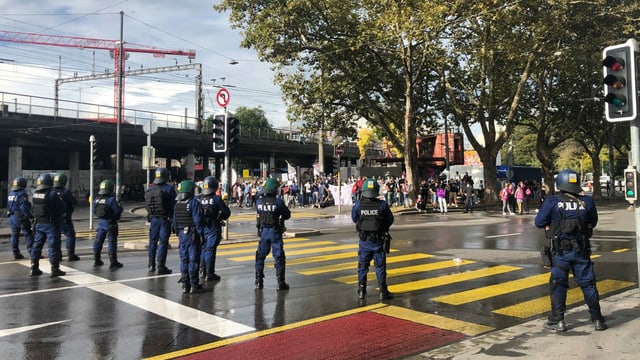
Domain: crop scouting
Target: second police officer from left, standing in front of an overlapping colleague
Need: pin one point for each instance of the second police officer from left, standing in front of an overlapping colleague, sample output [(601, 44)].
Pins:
[(48, 210)]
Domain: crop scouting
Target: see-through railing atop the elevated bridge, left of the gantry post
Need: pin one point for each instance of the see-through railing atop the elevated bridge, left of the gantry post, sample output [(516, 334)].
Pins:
[(37, 105)]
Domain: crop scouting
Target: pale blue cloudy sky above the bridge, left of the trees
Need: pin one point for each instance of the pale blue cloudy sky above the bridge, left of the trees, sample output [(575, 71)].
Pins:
[(32, 69)]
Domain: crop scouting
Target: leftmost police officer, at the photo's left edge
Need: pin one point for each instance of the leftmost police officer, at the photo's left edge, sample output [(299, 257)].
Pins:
[(19, 212)]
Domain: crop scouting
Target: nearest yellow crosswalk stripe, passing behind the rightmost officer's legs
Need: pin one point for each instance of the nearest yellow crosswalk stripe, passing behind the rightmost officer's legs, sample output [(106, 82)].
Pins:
[(541, 305)]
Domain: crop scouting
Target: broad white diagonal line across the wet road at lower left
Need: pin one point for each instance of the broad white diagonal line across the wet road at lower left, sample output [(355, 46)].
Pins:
[(185, 315)]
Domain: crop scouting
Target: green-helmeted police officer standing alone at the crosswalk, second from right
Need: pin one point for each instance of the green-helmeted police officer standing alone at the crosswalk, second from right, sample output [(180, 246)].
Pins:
[(373, 219)]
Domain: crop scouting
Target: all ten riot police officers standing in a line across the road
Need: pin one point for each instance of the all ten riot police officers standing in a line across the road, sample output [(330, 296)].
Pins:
[(197, 217)]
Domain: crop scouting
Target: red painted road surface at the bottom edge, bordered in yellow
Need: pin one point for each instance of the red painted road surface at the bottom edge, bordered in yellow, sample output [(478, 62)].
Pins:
[(360, 336)]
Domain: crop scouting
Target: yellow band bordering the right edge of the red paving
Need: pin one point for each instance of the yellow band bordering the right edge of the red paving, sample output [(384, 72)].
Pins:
[(441, 322)]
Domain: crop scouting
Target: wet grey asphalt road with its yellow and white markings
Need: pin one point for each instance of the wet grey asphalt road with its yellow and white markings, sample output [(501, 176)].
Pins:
[(437, 264)]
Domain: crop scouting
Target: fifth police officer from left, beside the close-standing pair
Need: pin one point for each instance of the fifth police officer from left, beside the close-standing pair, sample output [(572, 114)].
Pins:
[(160, 202)]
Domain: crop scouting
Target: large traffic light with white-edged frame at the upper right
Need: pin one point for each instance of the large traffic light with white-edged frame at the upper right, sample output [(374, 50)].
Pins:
[(620, 81)]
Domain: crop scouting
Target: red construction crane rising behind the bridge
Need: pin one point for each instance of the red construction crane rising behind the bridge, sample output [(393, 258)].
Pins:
[(90, 43)]
